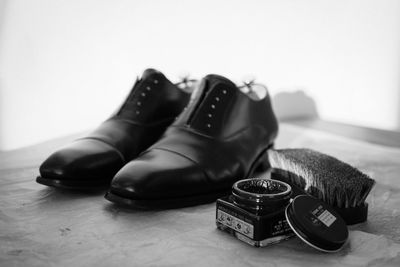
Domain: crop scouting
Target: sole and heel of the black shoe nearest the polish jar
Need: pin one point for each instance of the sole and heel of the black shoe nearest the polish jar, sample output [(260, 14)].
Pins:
[(260, 164)]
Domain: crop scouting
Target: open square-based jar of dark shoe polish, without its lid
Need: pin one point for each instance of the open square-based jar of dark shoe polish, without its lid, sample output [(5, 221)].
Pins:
[(255, 212)]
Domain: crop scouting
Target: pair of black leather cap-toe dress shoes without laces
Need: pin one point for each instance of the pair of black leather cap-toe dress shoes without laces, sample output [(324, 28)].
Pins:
[(168, 147)]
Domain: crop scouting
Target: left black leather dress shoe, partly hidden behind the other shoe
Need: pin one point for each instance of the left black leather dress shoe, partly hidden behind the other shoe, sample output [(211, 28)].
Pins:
[(92, 161)]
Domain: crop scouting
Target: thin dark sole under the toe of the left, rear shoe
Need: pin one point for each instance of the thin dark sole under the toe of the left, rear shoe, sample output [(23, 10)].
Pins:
[(72, 184)]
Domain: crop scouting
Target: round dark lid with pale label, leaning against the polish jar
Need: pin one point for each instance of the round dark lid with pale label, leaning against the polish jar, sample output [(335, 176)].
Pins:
[(316, 223)]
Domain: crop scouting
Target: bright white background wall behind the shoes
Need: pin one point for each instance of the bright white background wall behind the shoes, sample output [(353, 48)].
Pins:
[(66, 65)]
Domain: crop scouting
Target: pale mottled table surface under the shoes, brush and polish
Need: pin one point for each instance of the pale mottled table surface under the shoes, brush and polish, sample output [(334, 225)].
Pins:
[(41, 226)]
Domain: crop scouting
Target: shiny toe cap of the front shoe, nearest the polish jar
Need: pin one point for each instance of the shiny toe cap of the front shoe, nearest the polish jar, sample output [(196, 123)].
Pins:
[(157, 174)]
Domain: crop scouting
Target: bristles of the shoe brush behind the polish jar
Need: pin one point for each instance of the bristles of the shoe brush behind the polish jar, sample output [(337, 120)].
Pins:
[(322, 176)]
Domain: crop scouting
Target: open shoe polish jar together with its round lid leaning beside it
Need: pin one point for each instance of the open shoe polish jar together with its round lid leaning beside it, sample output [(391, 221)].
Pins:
[(261, 212)]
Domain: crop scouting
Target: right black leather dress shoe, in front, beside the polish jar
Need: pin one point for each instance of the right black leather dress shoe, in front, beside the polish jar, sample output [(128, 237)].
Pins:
[(222, 136)]
